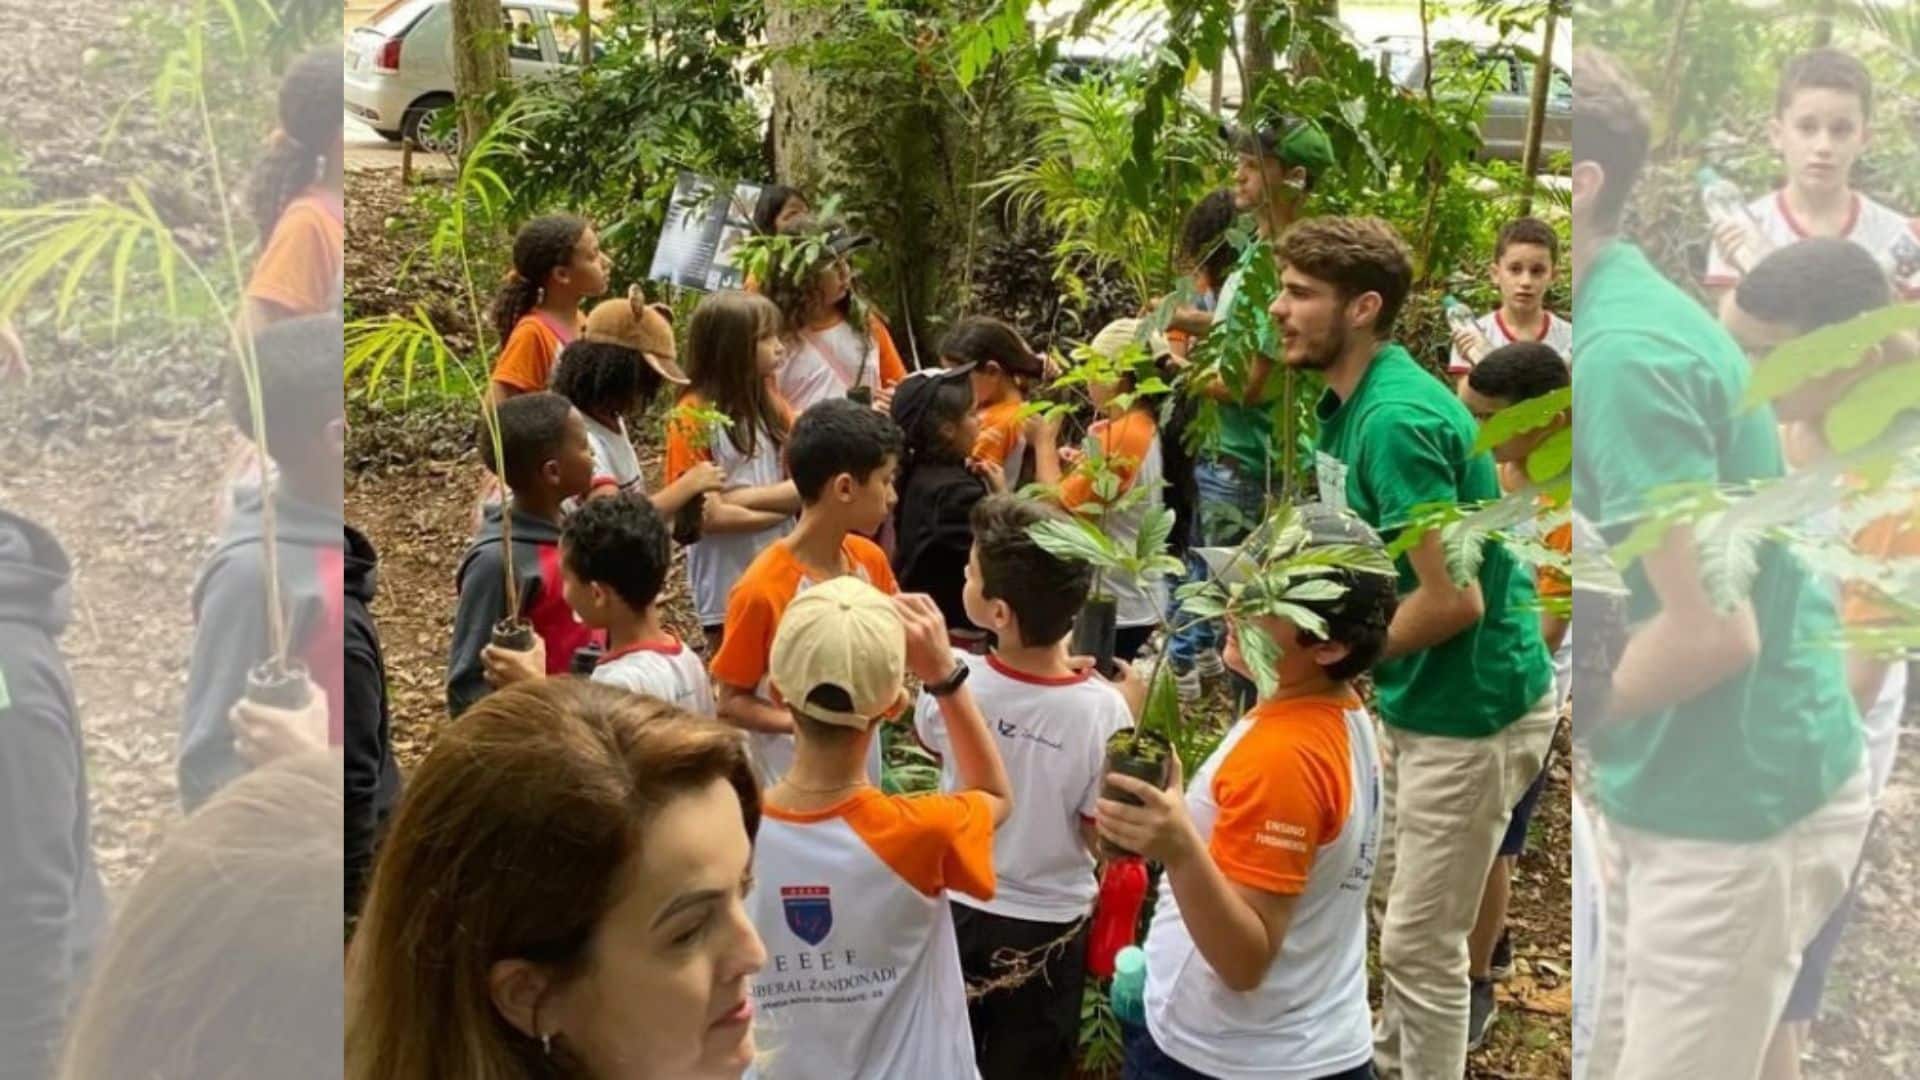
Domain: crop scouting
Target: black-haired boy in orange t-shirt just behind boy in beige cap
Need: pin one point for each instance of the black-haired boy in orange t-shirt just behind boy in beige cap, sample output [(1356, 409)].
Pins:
[(842, 458)]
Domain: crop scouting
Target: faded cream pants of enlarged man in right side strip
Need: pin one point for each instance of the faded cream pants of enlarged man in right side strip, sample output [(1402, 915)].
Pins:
[(1704, 941)]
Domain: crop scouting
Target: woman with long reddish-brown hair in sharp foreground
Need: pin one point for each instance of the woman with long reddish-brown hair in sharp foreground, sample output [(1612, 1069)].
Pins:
[(562, 896)]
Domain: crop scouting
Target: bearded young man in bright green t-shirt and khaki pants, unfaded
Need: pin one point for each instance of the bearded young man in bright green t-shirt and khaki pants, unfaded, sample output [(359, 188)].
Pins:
[(1466, 687)]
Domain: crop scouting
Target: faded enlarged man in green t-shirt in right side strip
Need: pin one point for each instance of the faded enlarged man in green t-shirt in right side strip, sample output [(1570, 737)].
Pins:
[(1729, 762)]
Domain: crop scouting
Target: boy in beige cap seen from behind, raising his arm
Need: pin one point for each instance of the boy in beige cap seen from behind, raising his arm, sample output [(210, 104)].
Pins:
[(863, 977)]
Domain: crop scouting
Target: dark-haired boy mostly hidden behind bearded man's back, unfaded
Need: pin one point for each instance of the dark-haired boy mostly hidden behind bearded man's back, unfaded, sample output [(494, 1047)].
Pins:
[(1506, 378)]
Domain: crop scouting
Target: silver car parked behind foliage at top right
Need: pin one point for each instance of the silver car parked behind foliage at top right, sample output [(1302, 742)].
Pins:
[(1502, 76)]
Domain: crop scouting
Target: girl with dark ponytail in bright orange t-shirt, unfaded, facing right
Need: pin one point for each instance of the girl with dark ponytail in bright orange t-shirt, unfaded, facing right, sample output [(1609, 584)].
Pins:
[(556, 264)]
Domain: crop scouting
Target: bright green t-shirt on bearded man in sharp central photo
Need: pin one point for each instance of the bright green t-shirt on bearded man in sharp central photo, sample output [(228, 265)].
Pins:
[(1403, 441)]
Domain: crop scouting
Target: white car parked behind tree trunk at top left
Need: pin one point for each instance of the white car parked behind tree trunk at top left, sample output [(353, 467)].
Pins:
[(400, 62)]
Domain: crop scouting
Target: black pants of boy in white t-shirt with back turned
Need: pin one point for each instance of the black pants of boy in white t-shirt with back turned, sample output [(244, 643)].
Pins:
[(1026, 1031)]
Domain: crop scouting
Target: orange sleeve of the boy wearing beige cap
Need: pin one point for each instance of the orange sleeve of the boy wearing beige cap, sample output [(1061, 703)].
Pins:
[(934, 843)]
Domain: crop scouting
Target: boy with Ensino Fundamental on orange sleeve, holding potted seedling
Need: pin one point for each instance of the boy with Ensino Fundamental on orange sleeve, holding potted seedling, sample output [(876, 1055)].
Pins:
[(1257, 958)]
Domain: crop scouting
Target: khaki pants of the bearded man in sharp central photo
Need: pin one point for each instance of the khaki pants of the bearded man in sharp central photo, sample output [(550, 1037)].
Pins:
[(1445, 808)]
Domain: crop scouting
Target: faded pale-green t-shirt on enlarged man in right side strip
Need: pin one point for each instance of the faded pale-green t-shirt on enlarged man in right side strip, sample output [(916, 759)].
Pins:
[(1660, 389)]
